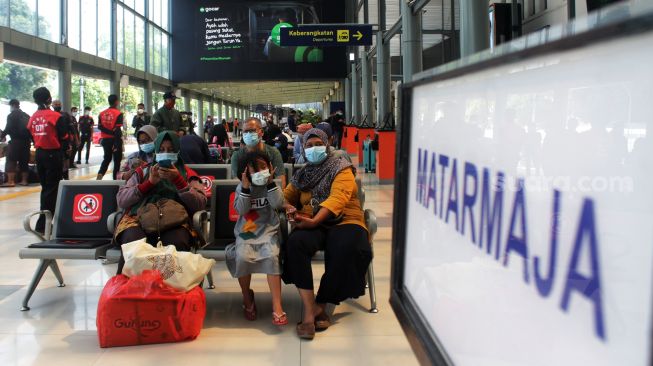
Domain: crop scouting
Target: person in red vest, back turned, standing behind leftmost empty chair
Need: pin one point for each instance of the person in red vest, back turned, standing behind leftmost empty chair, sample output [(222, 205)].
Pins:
[(48, 130)]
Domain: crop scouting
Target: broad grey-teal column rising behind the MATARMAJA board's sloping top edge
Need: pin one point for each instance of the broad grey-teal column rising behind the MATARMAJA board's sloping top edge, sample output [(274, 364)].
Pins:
[(474, 27)]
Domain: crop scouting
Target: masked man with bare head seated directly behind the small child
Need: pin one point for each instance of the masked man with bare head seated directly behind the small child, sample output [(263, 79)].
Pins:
[(253, 141)]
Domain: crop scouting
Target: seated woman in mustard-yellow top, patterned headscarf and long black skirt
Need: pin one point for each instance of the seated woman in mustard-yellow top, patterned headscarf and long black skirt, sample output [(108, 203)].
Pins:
[(328, 217)]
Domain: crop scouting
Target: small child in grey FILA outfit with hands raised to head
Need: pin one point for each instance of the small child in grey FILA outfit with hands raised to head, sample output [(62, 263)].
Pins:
[(256, 249)]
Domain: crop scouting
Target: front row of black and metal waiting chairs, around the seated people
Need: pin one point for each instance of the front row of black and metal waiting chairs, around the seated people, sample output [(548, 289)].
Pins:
[(87, 213)]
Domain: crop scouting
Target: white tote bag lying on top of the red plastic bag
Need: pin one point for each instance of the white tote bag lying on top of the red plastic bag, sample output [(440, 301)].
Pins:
[(181, 270)]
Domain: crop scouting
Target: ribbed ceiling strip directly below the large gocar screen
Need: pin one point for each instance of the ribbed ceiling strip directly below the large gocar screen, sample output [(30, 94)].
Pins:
[(265, 92)]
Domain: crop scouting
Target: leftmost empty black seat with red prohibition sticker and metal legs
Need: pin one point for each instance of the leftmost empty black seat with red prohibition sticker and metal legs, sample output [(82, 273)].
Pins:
[(78, 229)]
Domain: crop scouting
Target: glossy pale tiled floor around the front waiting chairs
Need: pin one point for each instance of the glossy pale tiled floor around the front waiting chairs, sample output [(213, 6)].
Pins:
[(60, 328)]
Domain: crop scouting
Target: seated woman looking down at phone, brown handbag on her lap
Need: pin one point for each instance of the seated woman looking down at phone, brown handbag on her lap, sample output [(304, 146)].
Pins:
[(165, 178)]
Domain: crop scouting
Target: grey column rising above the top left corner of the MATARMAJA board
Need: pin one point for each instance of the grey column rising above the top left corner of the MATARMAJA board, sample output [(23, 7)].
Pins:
[(411, 41)]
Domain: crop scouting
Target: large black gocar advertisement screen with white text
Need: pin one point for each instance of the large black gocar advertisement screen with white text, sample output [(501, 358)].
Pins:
[(216, 40)]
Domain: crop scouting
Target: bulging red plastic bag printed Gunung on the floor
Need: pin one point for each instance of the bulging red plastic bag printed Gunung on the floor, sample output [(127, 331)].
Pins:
[(144, 310)]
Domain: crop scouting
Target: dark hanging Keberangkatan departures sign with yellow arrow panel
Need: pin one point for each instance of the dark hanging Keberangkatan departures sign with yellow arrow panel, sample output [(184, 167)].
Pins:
[(321, 35)]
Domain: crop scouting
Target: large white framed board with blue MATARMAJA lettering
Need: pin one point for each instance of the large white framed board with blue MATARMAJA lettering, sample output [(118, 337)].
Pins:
[(523, 215)]
